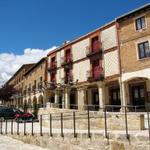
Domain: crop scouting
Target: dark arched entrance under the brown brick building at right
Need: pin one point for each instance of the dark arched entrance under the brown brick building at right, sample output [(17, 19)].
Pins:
[(136, 89)]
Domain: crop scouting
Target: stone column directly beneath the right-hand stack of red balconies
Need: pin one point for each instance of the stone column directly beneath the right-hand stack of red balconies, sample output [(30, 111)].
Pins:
[(101, 91)]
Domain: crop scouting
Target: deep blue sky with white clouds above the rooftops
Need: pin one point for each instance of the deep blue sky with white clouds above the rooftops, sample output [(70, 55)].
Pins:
[(29, 29)]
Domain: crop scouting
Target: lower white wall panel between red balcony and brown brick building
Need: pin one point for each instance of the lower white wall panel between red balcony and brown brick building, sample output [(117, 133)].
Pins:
[(111, 62)]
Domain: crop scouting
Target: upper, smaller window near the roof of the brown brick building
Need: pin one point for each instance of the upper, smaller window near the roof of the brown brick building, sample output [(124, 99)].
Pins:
[(140, 23)]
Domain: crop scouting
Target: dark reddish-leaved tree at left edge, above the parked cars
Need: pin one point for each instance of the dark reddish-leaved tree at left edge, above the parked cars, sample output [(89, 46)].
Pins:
[(6, 92)]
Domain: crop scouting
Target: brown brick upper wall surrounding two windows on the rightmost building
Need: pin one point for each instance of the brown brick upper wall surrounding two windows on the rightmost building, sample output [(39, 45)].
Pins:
[(129, 38)]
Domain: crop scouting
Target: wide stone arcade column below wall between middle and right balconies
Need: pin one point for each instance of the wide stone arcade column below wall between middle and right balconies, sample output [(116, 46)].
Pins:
[(81, 98)]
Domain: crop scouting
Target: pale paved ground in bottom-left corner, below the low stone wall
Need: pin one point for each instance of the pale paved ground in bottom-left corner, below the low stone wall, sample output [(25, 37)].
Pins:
[(7, 143)]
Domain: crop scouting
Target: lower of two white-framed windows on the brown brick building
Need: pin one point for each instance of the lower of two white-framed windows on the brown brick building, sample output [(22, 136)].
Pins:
[(144, 50)]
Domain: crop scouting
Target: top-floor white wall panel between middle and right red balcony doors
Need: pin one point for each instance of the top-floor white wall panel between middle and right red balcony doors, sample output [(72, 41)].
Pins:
[(79, 49)]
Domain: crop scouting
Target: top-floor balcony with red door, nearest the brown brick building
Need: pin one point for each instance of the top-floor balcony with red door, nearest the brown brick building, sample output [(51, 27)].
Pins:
[(95, 48)]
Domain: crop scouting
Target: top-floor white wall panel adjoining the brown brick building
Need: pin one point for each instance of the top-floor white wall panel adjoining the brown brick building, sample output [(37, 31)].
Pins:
[(109, 37)]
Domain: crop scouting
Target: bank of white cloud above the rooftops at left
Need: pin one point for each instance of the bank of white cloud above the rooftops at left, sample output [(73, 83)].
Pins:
[(10, 63)]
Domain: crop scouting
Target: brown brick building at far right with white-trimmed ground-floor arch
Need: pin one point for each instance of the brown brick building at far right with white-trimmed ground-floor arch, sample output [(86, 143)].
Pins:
[(134, 41)]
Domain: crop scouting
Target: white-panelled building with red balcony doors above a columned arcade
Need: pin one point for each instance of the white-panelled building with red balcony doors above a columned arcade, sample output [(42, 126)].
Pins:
[(85, 72)]
